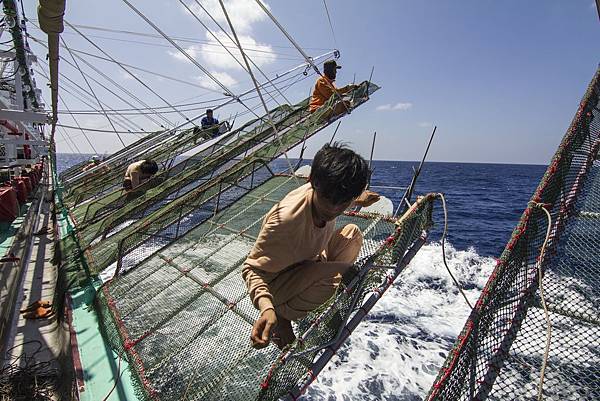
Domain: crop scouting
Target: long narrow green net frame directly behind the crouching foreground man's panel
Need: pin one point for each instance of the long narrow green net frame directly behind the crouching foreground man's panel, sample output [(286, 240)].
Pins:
[(152, 223)]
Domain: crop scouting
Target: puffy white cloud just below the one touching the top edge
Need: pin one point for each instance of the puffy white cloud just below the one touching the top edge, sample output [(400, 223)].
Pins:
[(213, 54)]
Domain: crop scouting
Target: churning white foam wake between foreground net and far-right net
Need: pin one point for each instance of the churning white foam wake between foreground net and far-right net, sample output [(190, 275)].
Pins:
[(396, 353)]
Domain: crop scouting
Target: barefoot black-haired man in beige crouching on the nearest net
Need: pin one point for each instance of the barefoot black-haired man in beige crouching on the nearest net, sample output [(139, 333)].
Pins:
[(299, 257)]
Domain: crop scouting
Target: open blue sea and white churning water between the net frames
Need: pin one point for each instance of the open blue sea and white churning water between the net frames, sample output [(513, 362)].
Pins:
[(396, 352)]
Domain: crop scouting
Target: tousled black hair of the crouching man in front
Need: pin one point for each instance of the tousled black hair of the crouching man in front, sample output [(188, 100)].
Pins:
[(338, 173)]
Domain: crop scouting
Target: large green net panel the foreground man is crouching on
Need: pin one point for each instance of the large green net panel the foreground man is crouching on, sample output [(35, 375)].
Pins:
[(182, 317)]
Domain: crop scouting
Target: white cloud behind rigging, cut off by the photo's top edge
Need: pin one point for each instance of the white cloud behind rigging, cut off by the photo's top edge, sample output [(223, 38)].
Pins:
[(243, 13)]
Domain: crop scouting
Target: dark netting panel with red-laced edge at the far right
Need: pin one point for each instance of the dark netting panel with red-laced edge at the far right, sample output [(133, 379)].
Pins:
[(500, 351)]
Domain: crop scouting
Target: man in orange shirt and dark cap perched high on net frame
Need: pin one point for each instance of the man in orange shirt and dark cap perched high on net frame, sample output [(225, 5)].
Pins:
[(325, 88)]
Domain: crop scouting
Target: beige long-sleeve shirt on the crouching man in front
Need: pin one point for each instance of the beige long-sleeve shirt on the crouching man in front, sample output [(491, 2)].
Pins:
[(288, 236)]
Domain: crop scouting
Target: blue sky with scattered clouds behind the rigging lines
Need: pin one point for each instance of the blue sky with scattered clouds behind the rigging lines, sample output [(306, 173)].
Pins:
[(501, 80)]
